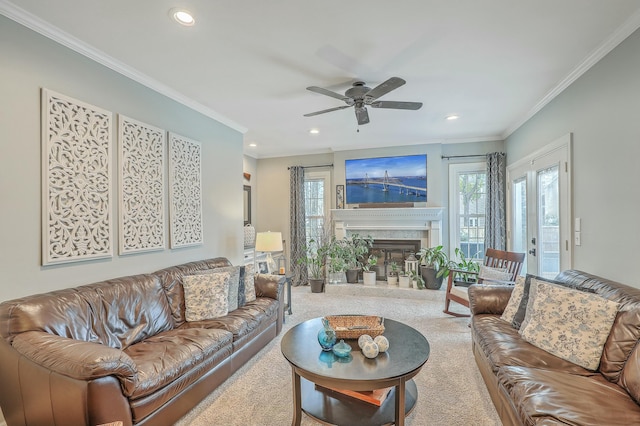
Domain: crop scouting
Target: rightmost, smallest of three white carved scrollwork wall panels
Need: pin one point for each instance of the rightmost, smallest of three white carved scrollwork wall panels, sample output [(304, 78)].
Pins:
[(185, 184)]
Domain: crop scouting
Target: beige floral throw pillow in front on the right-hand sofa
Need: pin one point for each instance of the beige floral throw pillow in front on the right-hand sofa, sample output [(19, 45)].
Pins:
[(570, 324)]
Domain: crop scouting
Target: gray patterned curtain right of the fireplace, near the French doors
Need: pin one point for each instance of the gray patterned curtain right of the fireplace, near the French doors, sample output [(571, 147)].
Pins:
[(496, 227)]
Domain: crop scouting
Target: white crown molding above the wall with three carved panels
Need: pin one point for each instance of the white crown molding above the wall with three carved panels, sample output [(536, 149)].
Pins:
[(54, 33)]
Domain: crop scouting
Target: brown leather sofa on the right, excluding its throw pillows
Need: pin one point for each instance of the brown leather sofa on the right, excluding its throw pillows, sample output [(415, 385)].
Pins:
[(529, 386)]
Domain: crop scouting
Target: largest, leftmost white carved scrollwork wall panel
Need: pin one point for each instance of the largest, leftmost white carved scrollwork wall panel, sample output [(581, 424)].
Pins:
[(76, 174)]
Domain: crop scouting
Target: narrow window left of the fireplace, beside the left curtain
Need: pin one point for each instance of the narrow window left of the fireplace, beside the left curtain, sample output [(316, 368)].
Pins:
[(316, 193)]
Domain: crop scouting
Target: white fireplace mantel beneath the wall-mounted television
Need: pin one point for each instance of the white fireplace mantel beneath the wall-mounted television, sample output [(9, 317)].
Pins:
[(427, 219)]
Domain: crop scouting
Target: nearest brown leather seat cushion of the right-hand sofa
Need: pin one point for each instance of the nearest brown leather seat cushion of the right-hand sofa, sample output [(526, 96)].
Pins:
[(544, 397)]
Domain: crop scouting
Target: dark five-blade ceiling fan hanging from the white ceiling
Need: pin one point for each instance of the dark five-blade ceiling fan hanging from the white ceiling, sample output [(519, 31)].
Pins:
[(359, 96)]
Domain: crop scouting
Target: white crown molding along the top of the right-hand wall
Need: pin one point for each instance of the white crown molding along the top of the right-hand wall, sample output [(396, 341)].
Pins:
[(617, 37)]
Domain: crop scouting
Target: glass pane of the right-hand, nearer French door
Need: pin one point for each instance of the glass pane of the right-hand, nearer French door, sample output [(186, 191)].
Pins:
[(548, 223)]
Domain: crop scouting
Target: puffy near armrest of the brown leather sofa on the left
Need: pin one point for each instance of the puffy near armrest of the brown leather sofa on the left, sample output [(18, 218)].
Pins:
[(75, 358)]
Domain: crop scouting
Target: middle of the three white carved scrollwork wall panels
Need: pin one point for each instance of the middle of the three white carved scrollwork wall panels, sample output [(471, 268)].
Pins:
[(141, 166)]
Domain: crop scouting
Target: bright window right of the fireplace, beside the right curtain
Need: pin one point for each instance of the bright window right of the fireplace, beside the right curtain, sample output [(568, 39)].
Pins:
[(467, 200)]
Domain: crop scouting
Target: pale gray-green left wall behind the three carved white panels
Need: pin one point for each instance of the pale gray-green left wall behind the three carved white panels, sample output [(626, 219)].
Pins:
[(31, 62)]
